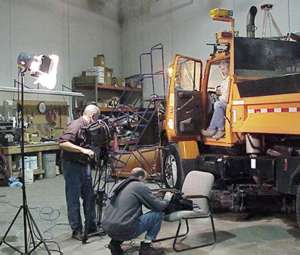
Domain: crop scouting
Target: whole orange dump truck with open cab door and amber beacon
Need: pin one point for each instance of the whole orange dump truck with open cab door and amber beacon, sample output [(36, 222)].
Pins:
[(257, 161)]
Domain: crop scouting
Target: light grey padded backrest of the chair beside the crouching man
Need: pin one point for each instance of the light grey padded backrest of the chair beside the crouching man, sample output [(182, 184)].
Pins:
[(198, 183)]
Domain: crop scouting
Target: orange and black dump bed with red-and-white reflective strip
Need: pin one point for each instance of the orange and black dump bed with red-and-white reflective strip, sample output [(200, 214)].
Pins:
[(266, 92)]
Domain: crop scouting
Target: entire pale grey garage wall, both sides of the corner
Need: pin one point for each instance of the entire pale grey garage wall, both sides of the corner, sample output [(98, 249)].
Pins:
[(79, 29)]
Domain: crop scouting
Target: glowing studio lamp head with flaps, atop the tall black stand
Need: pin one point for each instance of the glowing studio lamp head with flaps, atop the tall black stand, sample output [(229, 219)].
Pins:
[(43, 68)]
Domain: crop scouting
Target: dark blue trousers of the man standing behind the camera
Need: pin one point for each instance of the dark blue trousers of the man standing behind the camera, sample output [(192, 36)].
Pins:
[(78, 183)]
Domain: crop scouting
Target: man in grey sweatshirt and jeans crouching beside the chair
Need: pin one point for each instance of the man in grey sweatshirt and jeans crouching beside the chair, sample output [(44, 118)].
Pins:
[(123, 218)]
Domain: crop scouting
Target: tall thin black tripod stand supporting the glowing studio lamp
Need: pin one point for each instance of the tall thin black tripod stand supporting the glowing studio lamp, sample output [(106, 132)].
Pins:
[(29, 225)]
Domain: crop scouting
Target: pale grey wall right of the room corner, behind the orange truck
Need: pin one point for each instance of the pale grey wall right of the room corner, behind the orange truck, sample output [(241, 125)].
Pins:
[(184, 26)]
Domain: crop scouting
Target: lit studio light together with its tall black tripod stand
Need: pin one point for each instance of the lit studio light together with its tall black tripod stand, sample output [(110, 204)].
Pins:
[(32, 235)]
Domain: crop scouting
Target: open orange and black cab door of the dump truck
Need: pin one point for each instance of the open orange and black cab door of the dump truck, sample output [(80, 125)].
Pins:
[(184, 113)]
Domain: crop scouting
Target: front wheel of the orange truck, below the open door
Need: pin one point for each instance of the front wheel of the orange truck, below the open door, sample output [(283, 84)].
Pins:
[(172, 171)]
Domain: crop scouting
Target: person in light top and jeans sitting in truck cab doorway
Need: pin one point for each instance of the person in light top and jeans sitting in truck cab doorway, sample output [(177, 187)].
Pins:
[(216, 128)]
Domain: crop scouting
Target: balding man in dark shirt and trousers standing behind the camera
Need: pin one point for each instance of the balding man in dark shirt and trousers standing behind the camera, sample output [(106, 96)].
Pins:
[(77, 173)]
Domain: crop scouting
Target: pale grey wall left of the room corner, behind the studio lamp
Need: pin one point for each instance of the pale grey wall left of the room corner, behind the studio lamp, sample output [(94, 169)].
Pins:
[(76, 30)]
